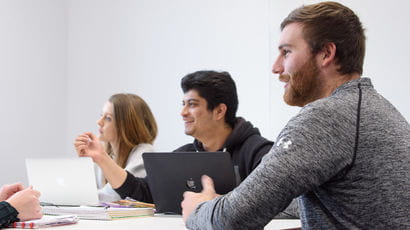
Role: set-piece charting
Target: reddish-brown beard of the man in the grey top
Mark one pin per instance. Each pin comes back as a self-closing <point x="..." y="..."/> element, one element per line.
<point x="304" y="85"/>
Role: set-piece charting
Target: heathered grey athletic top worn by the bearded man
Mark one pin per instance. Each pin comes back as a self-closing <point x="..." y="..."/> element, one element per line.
<point x="347" y="156"/>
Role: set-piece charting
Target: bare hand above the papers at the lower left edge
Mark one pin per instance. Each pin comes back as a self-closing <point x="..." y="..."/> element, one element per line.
<point x="27" y="204"/>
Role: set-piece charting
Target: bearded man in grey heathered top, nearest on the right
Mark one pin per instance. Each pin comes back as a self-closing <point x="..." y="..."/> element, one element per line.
<point x="346" y="153"/>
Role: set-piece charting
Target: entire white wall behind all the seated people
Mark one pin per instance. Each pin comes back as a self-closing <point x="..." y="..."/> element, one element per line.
<point x="82" y="51"/>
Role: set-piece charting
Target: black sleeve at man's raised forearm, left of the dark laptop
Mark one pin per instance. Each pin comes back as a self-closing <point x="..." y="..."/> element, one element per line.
<point x="136" y="188"/>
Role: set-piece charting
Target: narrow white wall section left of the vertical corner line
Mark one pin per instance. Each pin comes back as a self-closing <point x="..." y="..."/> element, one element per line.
<point x="32" y="83"/>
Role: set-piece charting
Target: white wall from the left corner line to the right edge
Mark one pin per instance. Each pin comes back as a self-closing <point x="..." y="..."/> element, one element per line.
<point x="147" y="46"/>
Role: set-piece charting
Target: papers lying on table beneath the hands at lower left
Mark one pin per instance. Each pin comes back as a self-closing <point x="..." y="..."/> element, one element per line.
<point x="46" y="221"/>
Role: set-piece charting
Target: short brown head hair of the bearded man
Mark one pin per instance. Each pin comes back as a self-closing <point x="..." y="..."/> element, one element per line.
<point x="332" y="22"/>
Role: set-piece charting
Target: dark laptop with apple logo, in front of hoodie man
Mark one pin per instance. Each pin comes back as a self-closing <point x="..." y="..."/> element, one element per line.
<point x="170" y="174"/>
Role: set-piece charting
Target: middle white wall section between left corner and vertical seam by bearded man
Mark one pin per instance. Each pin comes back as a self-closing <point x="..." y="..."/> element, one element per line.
<point x="147" y="46"/>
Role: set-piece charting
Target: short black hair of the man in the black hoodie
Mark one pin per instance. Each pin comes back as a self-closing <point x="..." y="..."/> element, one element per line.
<point x="215" y="88"/>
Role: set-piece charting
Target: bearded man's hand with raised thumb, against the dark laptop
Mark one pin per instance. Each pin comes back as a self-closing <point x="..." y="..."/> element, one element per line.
<point x="192" y="200"/>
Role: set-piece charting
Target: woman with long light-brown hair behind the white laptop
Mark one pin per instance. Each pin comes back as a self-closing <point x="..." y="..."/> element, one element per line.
<point x="127" y="129"/>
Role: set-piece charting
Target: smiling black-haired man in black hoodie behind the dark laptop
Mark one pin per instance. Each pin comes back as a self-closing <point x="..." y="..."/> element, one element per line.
<point x="209" y="112"/>
